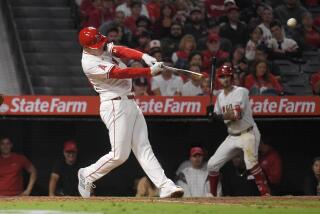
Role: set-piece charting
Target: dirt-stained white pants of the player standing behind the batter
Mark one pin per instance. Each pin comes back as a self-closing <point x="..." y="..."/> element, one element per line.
<point x="229" y="148"/>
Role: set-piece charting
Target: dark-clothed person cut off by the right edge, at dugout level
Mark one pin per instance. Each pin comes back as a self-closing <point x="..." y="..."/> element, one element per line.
<point x="311" y="184"/>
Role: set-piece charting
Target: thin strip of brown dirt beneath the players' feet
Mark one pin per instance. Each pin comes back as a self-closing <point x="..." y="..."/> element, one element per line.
<point x="286" y="201"/>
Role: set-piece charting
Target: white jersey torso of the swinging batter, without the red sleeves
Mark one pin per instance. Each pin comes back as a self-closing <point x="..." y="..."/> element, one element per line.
<point x="96" y="68"/>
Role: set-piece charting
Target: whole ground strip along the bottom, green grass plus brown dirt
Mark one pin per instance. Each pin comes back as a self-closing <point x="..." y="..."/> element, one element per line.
<point x="242" y="205"/>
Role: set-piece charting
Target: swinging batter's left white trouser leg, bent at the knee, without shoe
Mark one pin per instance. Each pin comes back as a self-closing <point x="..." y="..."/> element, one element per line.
<point x="119" y="119"/>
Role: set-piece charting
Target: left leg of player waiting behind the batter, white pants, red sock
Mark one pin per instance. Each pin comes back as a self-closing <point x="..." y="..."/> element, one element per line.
<point x="225" y="152"/>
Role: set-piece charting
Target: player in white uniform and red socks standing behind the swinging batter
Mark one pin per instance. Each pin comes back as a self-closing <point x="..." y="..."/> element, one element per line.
<point x="233" y="107"/>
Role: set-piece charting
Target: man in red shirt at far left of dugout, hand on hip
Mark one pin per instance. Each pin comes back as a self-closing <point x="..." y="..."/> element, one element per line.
<point x="11" y="168"/>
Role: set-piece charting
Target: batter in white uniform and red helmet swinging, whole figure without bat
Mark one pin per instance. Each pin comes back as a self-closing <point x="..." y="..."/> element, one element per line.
<point x="126" y="124"/>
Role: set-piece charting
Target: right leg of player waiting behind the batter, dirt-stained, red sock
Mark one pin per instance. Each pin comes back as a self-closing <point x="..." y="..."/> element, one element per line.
<point x="249" y="143"/>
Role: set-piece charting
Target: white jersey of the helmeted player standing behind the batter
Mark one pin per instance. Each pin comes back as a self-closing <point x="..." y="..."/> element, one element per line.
<point x="238" y="96"/>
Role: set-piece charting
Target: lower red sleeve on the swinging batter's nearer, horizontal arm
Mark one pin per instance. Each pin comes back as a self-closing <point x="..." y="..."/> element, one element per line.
<point x="125" y="73"/>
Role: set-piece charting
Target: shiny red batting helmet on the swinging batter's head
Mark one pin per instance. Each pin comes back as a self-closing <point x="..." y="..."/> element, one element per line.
<point x="90" y="37"/>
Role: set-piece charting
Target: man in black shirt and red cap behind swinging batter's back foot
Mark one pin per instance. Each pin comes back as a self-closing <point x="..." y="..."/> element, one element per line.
<point x="63" y="178"/>
